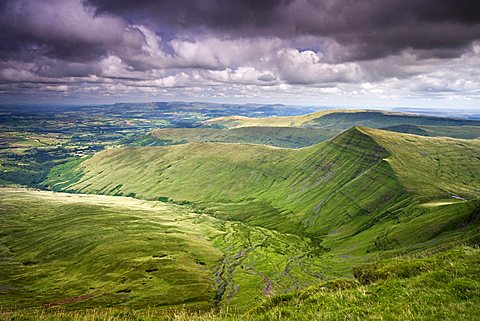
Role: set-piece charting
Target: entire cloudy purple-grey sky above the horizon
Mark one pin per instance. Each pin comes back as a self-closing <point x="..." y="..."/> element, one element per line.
<point x="369" y="53"/>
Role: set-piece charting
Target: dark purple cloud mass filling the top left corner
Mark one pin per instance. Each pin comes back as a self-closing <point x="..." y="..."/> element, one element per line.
<point x="61" y="29"/>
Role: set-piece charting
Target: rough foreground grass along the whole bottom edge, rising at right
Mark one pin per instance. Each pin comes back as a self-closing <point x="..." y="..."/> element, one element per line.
<point x="437" y="286"/>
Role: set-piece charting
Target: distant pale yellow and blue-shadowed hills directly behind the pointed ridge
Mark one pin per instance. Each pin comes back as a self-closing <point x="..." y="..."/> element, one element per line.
<point x="310" y="129"/>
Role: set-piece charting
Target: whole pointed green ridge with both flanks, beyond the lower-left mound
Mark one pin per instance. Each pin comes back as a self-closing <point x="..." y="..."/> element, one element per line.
<point x="364" y="190"/>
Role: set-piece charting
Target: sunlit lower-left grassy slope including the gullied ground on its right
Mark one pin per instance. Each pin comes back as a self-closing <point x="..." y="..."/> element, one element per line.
<point x="100" y="250"/>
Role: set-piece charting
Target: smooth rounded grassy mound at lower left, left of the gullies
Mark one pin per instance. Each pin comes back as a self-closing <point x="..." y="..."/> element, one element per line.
<point x="59" y="246"/>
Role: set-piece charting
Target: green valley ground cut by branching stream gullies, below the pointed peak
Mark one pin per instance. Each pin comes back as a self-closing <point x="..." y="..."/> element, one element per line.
<point x="259" y="262"/>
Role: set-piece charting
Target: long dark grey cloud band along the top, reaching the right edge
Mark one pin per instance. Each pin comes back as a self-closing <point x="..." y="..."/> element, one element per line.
<point x="371" y="28"/>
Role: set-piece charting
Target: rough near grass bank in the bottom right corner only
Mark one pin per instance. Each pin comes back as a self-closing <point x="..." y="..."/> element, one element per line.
<point x="443" y="286"/>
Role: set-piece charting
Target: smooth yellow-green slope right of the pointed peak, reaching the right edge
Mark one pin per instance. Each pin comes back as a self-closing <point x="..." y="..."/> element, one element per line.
<point x="433" y="166"/>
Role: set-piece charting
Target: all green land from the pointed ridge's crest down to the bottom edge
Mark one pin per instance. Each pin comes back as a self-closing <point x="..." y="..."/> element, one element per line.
<point x="250" y="231"/>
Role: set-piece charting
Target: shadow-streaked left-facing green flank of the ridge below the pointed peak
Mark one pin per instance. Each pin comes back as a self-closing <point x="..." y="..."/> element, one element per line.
<point x="249" y="182"/>
